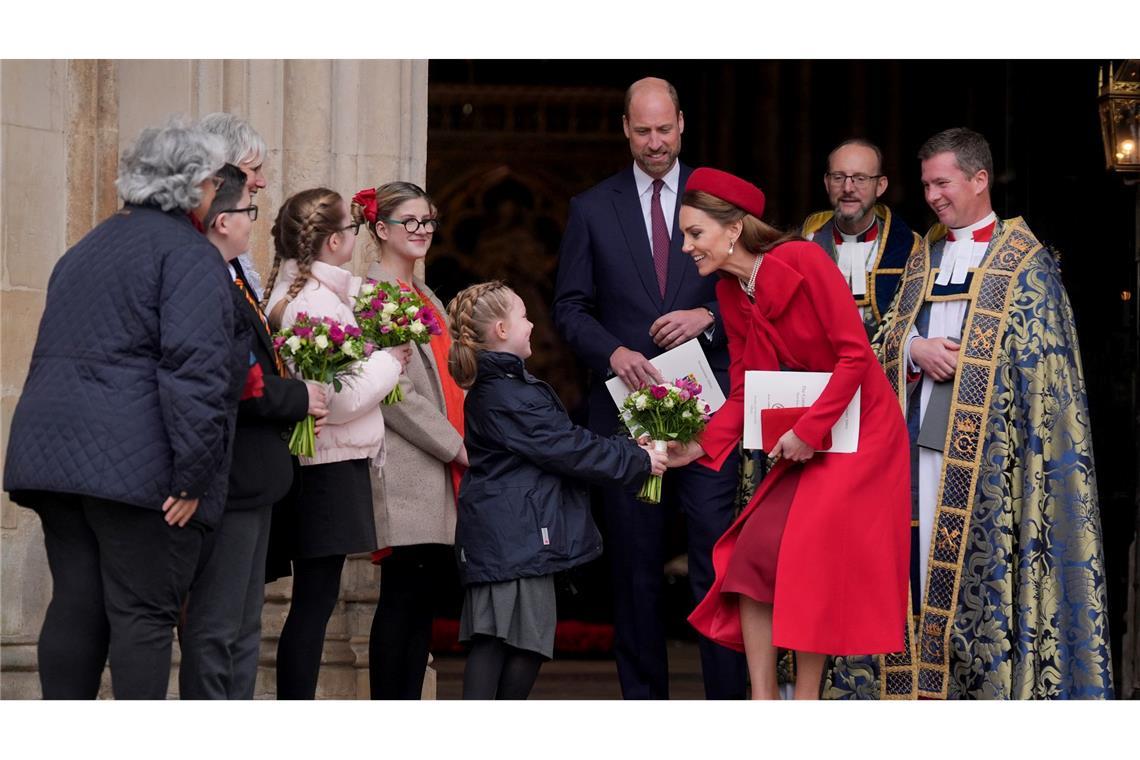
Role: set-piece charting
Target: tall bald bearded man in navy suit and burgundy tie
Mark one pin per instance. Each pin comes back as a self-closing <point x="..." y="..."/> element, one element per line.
<point x="625" y="293"/>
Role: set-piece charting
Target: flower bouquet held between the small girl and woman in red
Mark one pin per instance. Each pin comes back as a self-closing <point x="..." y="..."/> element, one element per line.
<point x="669" y="412"/>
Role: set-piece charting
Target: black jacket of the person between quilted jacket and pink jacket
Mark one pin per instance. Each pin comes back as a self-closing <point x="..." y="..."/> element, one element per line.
<point x="263" y="470"/>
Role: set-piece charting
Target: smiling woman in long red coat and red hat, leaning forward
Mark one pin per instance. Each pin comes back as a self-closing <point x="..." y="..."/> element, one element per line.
<point x="818" y="562"/>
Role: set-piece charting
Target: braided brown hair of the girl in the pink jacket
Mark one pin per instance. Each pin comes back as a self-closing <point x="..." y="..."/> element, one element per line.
<point x="304" y="224"/>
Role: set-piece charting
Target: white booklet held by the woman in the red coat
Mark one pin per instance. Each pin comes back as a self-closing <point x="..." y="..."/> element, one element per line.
<point x="776" y="390"/>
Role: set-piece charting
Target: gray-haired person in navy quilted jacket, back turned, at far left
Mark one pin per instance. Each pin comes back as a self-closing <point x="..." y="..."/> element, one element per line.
<point x="121" y="437"/>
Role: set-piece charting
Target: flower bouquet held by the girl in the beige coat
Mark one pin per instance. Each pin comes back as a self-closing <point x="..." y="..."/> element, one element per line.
<point x="394" y="315"/>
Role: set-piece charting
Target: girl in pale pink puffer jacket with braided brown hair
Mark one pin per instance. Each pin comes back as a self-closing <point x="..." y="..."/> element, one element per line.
<point x="330" y="516"/>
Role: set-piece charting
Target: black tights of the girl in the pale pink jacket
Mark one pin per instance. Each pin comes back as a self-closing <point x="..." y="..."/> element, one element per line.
<point x="316" y="586"/>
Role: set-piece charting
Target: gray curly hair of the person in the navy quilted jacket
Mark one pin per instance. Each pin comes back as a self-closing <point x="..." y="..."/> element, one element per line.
<point x="166" y="166"/>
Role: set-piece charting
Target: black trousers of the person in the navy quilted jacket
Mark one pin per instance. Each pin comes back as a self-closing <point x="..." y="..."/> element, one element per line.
<point x="119" y="577"/>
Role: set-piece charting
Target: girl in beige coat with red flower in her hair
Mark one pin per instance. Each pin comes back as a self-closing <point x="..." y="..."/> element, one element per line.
<point x="414" y="496"/>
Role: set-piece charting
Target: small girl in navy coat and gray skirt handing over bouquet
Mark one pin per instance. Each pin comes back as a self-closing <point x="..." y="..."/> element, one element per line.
<point x="524" y="511"/>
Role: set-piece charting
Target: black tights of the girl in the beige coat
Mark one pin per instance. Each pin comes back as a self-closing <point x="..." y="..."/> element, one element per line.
<point x="411" y="584"/>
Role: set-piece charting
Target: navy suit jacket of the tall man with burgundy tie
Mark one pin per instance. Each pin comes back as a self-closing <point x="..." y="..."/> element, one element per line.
<point x="607" y="295"/>
